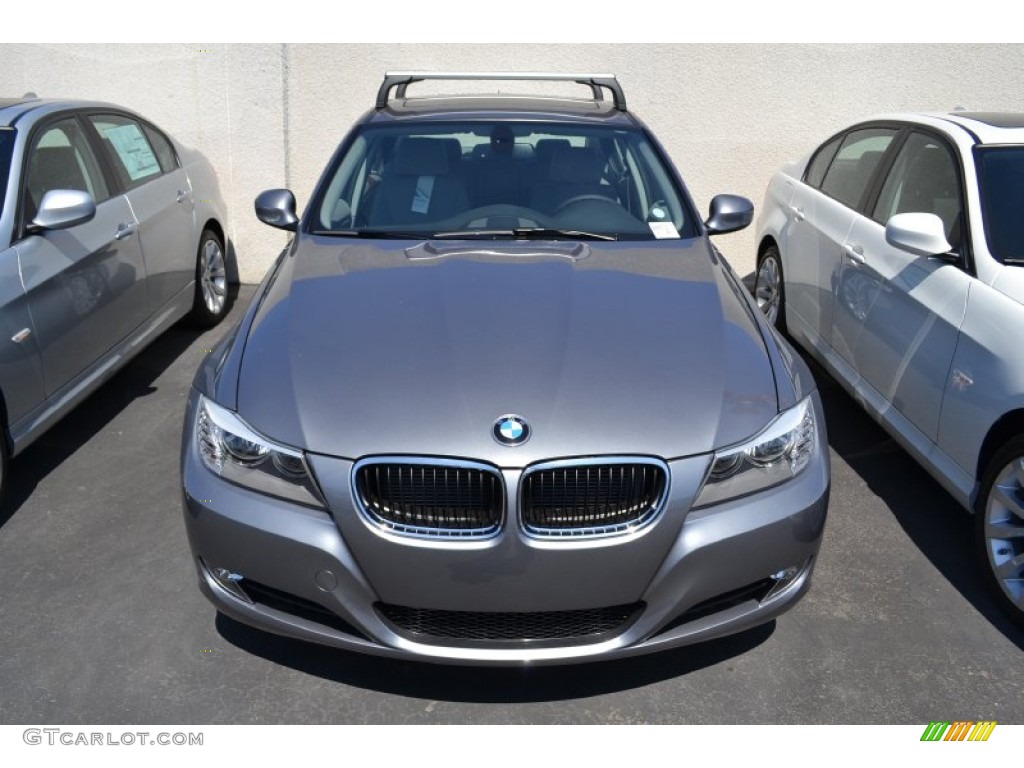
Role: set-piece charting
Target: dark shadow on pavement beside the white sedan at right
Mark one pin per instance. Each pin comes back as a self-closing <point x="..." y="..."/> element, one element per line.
<point x="941" y="529"/>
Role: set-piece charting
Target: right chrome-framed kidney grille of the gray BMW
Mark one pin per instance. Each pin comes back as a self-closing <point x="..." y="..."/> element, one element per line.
<point x="615" y="496"/>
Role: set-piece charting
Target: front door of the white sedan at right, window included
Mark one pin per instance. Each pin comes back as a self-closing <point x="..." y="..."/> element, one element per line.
<point x="900" y="314"/>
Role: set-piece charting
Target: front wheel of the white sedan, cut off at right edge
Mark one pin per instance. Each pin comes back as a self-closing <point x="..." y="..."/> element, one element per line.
<point x="1000" y="529"/>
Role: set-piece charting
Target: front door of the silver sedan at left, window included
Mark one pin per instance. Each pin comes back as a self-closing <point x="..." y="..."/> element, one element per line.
<point x="86" y="285"/>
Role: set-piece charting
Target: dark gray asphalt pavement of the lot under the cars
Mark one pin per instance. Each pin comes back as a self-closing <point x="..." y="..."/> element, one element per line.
<point x="102" y="622"/>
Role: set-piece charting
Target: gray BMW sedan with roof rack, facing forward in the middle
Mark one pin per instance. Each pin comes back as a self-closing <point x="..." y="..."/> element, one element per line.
<point x="501" y="401"/>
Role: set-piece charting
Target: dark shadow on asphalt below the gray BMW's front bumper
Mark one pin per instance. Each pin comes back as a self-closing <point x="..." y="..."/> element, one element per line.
<point x="488" y="685"/>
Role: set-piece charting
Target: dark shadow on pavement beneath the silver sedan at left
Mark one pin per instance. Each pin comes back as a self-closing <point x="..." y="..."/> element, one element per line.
<point x="81" y="425"/>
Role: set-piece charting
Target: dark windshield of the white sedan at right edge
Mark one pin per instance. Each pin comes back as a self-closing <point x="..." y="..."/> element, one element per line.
<point x="1001" y="177"/>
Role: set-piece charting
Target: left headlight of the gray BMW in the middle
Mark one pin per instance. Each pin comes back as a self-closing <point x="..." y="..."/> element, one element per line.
<point x="231" y="449"/>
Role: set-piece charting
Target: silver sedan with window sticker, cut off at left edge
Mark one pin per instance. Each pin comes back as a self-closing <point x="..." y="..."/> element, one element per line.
<point x="110" y="233"/>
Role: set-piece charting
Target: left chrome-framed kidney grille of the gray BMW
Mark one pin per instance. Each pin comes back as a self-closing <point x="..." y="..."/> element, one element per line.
<point x="430" y="498"/>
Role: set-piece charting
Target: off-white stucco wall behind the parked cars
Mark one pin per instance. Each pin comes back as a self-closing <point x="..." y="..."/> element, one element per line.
<point x="730" y="115"/>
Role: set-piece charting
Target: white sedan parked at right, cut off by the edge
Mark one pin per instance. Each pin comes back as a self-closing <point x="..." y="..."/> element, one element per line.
<point x="894" y="254"/>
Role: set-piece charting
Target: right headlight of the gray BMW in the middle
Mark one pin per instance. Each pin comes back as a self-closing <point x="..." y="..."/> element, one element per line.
<point x="783" y="451"/>
